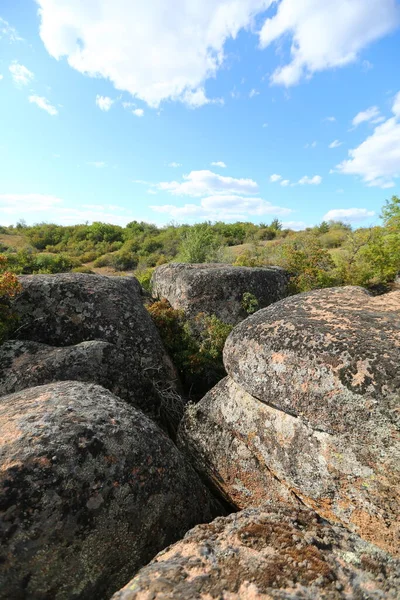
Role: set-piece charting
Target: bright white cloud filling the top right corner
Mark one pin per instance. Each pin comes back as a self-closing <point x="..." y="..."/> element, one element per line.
<point x="326" y="34"/>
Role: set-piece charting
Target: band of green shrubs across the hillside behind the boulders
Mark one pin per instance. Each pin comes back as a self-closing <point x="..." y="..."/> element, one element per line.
<point x="328" y="254"/>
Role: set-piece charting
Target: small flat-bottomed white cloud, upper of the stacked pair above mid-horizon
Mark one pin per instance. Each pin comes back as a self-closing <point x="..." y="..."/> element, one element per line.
<point x="202" y="183"/>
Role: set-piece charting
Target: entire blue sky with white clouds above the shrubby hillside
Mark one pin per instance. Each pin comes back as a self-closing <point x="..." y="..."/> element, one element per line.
<point x="192" y="110"/>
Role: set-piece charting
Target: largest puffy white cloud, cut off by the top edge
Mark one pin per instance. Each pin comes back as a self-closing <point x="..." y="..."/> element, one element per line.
<point x="154" y="50"/>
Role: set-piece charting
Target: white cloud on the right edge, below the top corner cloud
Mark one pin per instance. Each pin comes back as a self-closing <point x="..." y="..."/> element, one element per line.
<point x="377" y="159"/>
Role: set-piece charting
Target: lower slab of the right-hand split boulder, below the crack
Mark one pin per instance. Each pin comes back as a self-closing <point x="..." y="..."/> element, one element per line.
<point x="253" y="452"/>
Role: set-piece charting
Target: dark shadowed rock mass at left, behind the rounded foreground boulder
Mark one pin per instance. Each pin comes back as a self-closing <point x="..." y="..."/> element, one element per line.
<point x="125" y="353"/>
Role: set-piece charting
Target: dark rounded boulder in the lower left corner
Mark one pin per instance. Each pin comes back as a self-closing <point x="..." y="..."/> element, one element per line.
<point x="90" y="490"/>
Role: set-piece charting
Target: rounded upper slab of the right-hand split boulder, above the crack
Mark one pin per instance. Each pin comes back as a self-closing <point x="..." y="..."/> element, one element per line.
<point x="330" y="356"/>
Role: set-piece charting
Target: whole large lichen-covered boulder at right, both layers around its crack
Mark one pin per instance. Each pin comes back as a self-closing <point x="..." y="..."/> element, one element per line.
<point x="310" y="411"/>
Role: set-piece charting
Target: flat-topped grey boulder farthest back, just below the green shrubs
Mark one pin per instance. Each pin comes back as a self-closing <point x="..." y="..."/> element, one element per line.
<point x="217" y="288"/>
